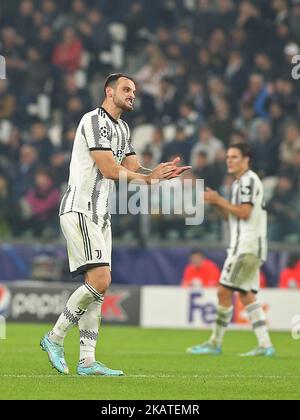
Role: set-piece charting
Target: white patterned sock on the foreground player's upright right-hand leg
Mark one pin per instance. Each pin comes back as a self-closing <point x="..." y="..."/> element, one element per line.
<point x="89" y="326"/>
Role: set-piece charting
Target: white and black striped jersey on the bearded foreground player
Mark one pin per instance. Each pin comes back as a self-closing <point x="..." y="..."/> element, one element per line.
<point x="88" y="190"/>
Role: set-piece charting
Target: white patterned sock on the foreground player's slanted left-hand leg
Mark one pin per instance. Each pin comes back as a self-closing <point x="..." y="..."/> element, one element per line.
<point x="75" y="309"/>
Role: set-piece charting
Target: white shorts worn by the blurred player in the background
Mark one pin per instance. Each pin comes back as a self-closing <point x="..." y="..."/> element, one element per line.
<point x="242" y="273"/>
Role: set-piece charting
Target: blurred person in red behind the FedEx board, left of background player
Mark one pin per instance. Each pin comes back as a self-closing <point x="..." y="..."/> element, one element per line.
<point x="201" y="272"/>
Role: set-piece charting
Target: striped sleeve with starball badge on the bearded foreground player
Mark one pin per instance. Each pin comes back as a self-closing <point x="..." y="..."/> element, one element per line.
<point x="97" y="133"/>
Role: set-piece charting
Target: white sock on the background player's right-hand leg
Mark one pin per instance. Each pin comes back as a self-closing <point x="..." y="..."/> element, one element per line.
<point x="259" y="324"/>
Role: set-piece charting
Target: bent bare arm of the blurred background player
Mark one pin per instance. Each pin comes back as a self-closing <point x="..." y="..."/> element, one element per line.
<point x="242" y="212"/>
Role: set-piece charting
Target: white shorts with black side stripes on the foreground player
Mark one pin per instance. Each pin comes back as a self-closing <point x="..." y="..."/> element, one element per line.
<point x="89" y="245"/>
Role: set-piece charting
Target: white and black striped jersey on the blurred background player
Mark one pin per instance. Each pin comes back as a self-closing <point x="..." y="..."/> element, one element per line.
<point x="249" y="236"/>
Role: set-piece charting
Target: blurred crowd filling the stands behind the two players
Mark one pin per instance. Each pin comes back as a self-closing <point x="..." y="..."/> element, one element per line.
<point x="209" y="73"/>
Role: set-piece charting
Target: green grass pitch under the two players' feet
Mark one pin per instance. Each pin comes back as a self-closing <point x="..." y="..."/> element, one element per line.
<point x="155" y="364"/>
